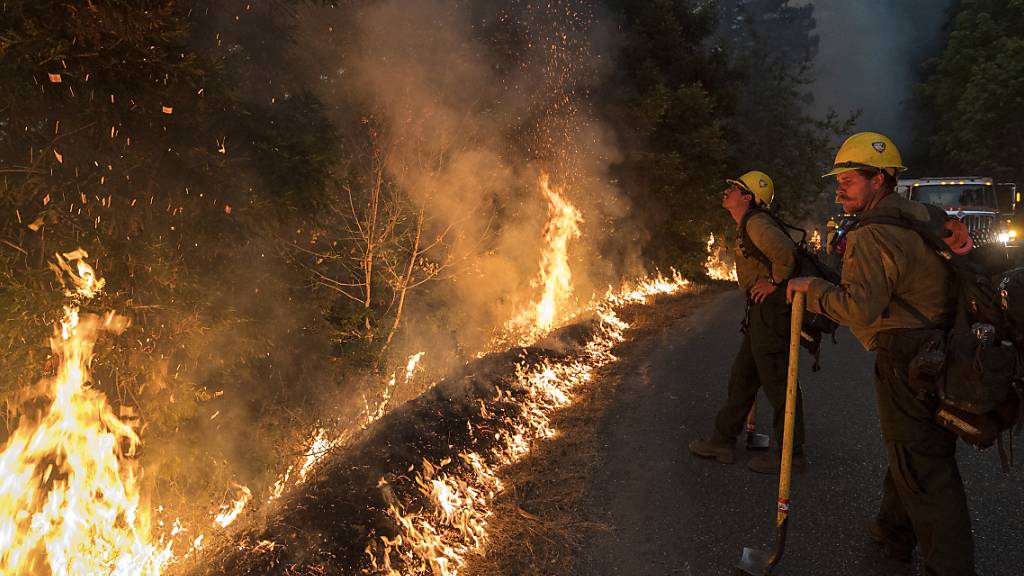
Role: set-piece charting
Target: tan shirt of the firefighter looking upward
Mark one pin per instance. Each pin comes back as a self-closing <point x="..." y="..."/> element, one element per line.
<point x="774" y="243"/>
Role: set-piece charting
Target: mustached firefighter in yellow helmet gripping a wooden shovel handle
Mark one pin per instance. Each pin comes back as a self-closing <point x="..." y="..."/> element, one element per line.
<point x="893" y="291"/>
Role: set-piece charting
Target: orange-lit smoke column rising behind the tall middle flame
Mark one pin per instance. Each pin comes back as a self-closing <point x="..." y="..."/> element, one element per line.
<point x="475" y="101"/>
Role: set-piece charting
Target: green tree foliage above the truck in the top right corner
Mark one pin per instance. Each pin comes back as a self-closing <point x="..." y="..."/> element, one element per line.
<point x="973" y="95"/>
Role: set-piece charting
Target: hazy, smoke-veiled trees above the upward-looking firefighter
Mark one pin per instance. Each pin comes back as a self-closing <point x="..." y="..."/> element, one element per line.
<point x="771" y="46"/>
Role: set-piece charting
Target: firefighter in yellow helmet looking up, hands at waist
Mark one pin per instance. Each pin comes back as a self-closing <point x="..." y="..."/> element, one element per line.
<point x="762" y="361"/>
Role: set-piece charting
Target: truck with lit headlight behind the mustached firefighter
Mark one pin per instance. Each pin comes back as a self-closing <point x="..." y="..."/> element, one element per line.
<point x="986" y="207"/>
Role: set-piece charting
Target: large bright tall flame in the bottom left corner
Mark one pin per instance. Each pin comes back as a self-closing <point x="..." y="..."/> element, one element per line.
<point x="70" y="500"/>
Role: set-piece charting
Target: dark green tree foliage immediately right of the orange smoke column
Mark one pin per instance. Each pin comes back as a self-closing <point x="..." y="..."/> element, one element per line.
<point x="669" y="125"/>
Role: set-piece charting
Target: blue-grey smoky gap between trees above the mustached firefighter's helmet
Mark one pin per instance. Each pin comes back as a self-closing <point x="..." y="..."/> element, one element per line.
<point x="870" y="58"/>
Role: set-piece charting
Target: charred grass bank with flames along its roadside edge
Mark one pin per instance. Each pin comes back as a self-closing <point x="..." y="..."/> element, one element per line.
<point x="413" y="493"/>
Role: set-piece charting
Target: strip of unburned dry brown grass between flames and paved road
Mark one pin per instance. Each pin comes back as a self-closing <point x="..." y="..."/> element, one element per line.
<point x="541" y="519"/>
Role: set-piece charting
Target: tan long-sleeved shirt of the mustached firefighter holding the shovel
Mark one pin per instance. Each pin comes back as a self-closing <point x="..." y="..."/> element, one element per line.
<point x="886" y="268"/>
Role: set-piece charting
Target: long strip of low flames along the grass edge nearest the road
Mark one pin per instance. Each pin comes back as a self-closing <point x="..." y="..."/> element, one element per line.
<point x="438" y="538"/>
